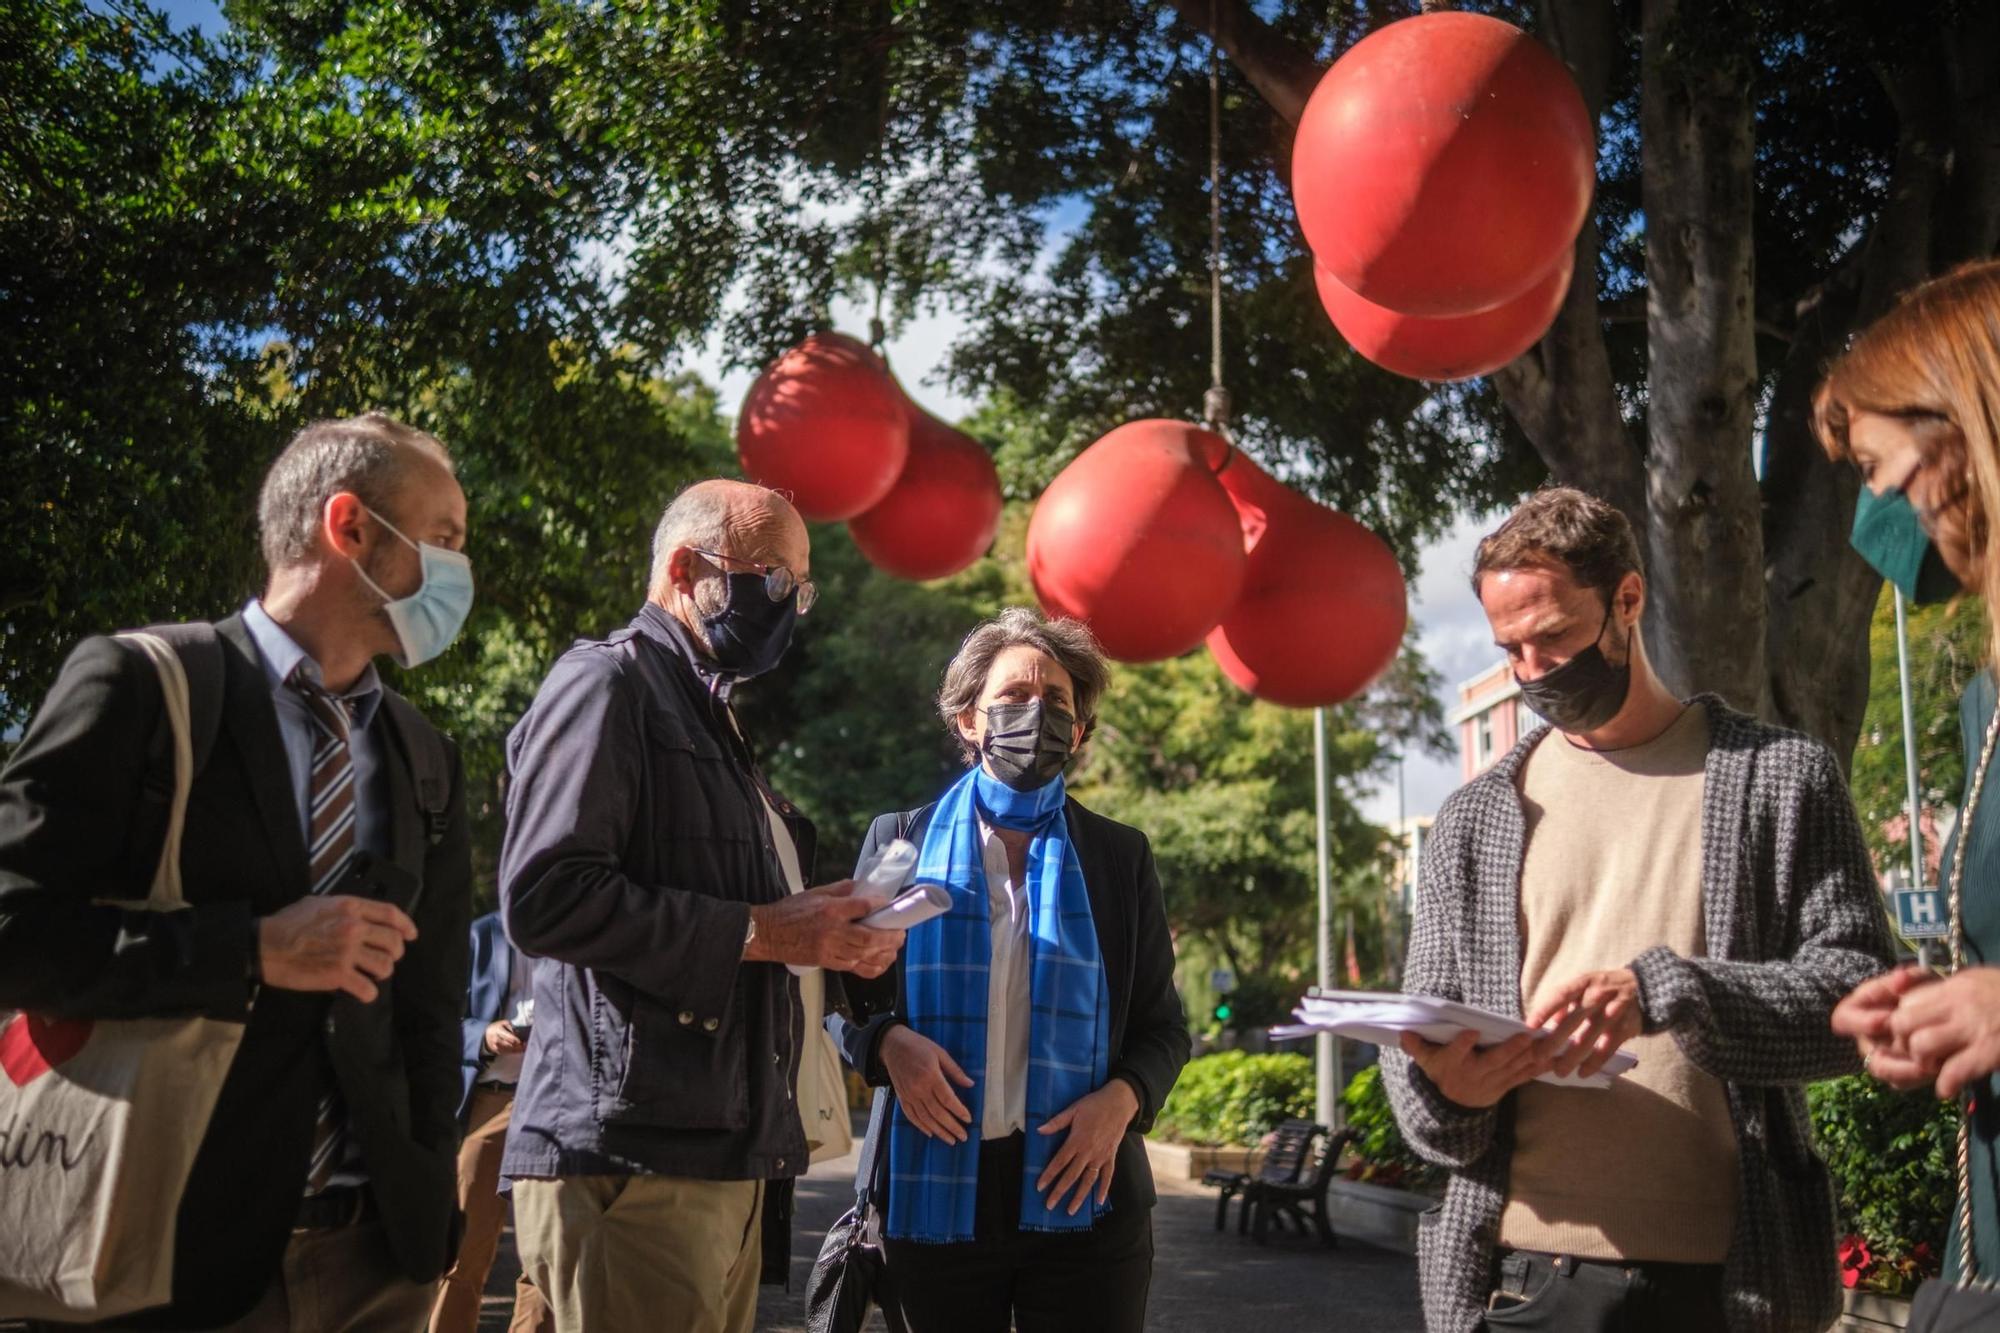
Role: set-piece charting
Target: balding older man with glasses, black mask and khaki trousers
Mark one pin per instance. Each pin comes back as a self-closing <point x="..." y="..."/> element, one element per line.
<point x="657" y="1122"/>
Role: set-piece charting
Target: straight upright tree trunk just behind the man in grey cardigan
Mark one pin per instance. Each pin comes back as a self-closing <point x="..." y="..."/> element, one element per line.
<point x="1703" y="541"/>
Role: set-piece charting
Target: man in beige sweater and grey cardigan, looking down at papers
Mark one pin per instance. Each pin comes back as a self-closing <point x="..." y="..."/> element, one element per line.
<point x="1647" y="874"/>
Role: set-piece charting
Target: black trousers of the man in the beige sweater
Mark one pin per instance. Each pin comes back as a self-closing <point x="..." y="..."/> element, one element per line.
<point x="1593" y="1296"/>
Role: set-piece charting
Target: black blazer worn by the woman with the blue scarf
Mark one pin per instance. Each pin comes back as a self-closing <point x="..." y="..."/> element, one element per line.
<point x="1149" y="1026"/>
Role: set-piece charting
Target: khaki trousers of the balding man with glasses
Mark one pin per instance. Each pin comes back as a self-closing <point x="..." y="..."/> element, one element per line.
<point x="643" y="1252"/>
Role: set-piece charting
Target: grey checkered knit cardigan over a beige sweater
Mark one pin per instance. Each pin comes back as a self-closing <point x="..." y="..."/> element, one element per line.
<point x="1793" y="924"/>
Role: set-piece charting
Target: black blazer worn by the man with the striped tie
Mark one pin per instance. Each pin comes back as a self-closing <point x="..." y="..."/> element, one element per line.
<point x="77" y="826"/>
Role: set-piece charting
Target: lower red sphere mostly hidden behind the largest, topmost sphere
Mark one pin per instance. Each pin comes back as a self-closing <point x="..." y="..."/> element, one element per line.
<point x="1445" y="349"/>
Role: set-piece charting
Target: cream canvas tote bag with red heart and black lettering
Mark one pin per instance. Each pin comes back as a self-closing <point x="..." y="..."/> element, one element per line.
<point x="101" y="1122"/>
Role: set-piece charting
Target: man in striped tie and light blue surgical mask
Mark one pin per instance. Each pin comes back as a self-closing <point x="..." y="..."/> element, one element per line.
<point x="329" y="878"/>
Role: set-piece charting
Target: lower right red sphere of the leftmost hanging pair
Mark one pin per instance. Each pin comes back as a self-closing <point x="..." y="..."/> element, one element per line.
<point x="943" y="511"/>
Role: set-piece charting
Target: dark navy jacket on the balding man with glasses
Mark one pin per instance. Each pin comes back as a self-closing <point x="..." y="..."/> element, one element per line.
<point x="637" y="846"/>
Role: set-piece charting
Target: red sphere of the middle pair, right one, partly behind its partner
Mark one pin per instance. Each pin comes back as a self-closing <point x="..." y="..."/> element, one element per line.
<point x="1323" y="605"/>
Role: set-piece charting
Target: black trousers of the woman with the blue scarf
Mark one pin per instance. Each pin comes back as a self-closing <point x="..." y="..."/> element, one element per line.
<point x="1043" y="1282"/>
